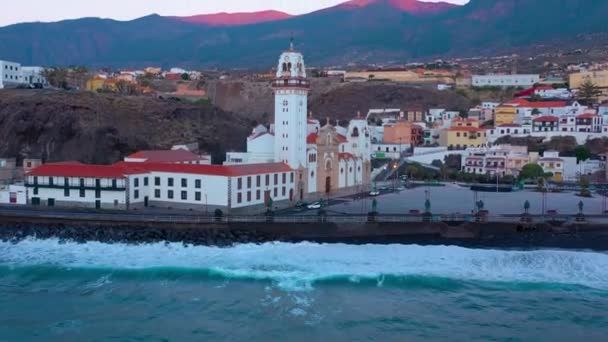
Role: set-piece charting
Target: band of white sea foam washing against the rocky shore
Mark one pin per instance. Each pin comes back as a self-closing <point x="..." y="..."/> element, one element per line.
<point x="298" y="266"/>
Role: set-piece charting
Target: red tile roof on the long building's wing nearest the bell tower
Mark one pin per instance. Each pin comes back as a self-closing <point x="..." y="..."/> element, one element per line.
<point x="211" y="170"/>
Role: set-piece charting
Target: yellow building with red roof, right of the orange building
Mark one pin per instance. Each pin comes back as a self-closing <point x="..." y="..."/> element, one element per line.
<point x="462" y="134"/>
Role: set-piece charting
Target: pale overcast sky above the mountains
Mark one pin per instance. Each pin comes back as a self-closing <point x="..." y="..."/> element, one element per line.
<point x="53" y="10"/>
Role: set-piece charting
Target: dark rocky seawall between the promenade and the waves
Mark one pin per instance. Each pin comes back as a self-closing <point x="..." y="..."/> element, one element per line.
<point x="467" y="234"/>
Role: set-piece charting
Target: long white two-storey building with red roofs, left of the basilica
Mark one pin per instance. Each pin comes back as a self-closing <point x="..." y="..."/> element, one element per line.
<point x="181" y="186"/>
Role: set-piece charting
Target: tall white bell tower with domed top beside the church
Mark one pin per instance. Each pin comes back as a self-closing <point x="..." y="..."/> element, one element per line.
<point x="290" y="109"/>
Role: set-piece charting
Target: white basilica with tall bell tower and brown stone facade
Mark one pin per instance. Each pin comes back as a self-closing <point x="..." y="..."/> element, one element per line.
<point x="326" y="159"/>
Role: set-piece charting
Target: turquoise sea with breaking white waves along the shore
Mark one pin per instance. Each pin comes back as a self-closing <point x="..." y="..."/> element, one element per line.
<point x="54" y="291"/>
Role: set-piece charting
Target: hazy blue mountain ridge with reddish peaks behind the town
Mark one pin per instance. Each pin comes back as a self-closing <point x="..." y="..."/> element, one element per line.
<point x="376" y="33"/>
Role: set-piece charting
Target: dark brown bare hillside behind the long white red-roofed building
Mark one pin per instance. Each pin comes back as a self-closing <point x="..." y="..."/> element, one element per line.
<point x="102" y="128"/>
